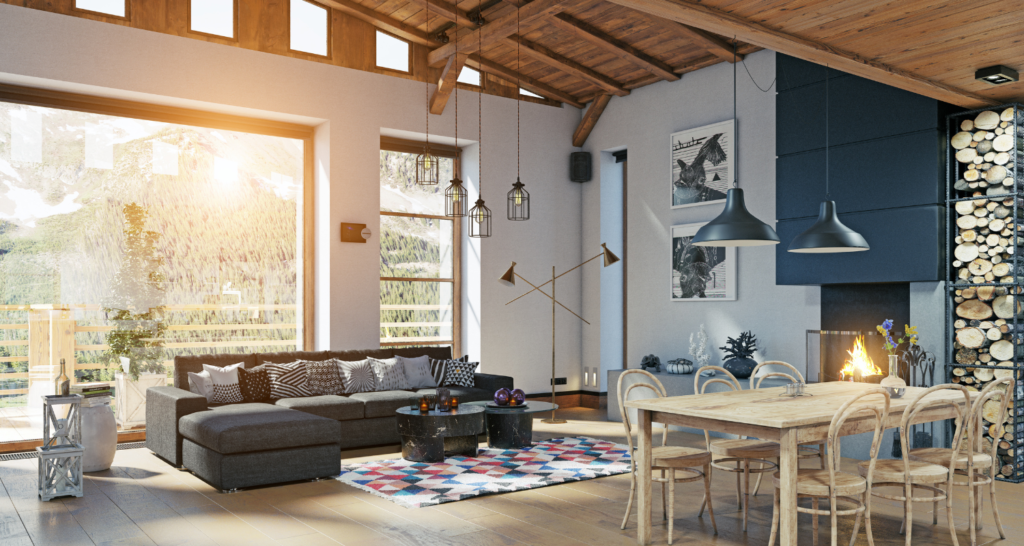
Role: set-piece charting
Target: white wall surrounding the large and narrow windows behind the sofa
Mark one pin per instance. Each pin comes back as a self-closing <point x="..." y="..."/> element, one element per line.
<point x="350" y="109"/>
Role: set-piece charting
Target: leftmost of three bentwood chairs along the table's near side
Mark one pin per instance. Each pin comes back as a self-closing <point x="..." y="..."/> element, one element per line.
<point x="835" y="485"/>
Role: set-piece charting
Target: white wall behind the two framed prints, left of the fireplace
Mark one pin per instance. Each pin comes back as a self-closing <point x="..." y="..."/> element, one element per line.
<point x="643" y="123"/>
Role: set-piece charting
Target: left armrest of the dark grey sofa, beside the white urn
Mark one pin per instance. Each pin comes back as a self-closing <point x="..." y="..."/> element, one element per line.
<point x="164" y="407"/>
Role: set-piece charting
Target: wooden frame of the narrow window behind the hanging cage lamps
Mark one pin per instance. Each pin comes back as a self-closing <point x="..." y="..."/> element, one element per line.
<point x="414" y="147"/>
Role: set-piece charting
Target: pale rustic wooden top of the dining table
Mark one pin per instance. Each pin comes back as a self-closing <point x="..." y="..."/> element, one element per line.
<point x="765" y="408"/>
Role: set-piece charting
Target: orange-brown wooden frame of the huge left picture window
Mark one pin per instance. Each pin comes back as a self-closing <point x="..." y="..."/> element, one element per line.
<point x="197" y="118"/>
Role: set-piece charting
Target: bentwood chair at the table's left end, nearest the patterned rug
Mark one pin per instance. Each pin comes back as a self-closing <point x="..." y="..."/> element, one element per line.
<point x="694" y="464"/>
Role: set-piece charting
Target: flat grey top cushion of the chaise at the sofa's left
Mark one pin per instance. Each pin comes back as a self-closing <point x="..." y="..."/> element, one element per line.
<point x="252" y="428"/>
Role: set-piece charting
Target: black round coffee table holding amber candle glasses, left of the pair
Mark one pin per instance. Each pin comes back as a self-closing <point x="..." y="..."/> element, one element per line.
<point x="429" y="438"/>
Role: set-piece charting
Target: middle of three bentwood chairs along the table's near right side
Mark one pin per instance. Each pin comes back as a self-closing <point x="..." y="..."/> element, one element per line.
<point x="914" y="475"/>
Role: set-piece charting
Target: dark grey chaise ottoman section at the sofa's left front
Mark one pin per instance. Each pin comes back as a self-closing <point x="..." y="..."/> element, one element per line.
<point x="248" y="445"/>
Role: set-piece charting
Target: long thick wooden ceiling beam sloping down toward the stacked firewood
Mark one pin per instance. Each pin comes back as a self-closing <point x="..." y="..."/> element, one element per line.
<point x="722" y="23"/>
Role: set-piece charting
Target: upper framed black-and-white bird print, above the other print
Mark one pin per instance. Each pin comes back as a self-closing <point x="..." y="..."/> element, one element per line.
<point x="702" y="164"/>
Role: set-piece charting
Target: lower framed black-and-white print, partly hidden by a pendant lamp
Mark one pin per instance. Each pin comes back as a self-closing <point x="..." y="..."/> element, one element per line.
<point x="700" y="274"/>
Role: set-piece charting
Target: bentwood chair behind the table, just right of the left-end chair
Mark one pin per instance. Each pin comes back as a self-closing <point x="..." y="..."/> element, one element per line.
<point x="737" y="455"/>
